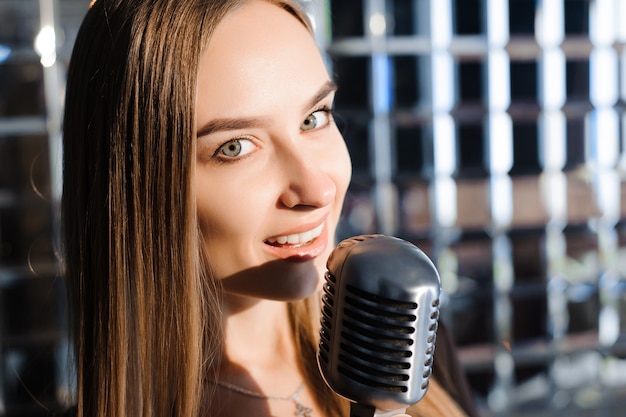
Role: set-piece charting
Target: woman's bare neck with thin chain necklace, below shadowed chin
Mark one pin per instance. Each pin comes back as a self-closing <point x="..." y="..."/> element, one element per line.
<point x="259" y="358"/>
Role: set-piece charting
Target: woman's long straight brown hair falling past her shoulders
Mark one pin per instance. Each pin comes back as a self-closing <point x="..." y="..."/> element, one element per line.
<point x="146" y="317"/>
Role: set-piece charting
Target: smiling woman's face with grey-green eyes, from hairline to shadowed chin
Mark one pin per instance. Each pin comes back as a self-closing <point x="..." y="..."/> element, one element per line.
<point x="272" y="168"/>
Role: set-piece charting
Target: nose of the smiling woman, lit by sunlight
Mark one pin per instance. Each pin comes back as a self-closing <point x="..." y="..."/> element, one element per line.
<point x="307" y="183"/>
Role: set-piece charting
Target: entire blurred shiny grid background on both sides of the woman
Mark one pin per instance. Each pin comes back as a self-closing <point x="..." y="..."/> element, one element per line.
<point x="491" y="133"/>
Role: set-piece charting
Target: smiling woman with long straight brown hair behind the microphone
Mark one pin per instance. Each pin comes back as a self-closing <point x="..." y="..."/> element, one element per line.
<point x="203" y="182"/>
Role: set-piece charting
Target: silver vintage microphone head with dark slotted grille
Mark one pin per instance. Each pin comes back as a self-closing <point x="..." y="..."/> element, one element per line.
<point x="380" y="307"/>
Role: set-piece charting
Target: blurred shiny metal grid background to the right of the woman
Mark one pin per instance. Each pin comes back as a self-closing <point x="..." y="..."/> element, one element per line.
<point x="490" y="133"/>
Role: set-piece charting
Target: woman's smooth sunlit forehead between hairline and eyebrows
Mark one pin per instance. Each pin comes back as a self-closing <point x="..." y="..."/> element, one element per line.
<point x="258" y="55"/>
